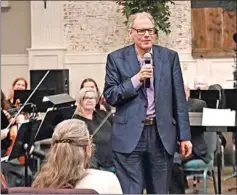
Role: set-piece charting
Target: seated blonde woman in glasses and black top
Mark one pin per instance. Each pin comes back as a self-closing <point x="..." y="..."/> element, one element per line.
<point x="85" y="111"/>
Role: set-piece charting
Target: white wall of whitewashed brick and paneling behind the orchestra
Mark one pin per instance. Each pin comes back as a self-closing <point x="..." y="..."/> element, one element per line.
<point x="57" y="35"/>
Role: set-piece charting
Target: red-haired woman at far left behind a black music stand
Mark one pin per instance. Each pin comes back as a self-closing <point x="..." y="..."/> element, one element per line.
<point x="18" y="84"/>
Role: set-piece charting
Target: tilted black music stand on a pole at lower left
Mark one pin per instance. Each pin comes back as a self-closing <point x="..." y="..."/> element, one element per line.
<point x="23" y="143"/>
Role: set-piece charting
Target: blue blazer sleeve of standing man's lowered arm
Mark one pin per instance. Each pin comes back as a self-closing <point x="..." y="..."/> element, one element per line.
<point x="180" y="102"/>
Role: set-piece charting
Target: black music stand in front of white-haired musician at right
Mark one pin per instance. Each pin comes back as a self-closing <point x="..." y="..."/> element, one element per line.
<point x="209" y="96"/>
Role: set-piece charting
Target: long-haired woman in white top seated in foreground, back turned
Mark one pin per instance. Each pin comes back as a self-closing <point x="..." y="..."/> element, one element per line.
<point x="68" y="161"/>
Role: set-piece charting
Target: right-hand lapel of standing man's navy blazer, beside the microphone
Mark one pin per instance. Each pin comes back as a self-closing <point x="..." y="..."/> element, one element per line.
<point x="157" y="63"/>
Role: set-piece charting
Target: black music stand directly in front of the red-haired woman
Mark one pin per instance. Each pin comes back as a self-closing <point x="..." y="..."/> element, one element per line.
<point x="37" y="99"/>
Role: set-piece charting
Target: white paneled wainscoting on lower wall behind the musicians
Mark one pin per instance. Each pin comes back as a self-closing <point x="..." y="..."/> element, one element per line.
<point x="80" y="65"/>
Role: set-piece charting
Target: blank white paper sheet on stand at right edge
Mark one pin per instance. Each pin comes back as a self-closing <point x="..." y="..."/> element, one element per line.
<point x="218" y="117"/>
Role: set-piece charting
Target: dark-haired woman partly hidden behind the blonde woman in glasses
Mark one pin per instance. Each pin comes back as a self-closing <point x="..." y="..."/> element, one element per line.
<point x="101" y="103"/>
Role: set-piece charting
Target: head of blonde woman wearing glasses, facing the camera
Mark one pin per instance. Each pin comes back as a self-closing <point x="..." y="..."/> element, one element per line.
<point x="86" y="100"/>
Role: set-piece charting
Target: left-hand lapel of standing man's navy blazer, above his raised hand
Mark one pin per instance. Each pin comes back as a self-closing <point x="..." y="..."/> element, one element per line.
<point x="133" y="63"/>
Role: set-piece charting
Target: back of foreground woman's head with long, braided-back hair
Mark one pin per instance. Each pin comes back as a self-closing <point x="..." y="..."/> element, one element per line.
<point x="68" y="158"/>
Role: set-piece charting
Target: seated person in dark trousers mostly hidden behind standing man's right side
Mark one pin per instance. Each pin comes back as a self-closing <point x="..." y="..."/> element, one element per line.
<point x="178" y="179"/>
